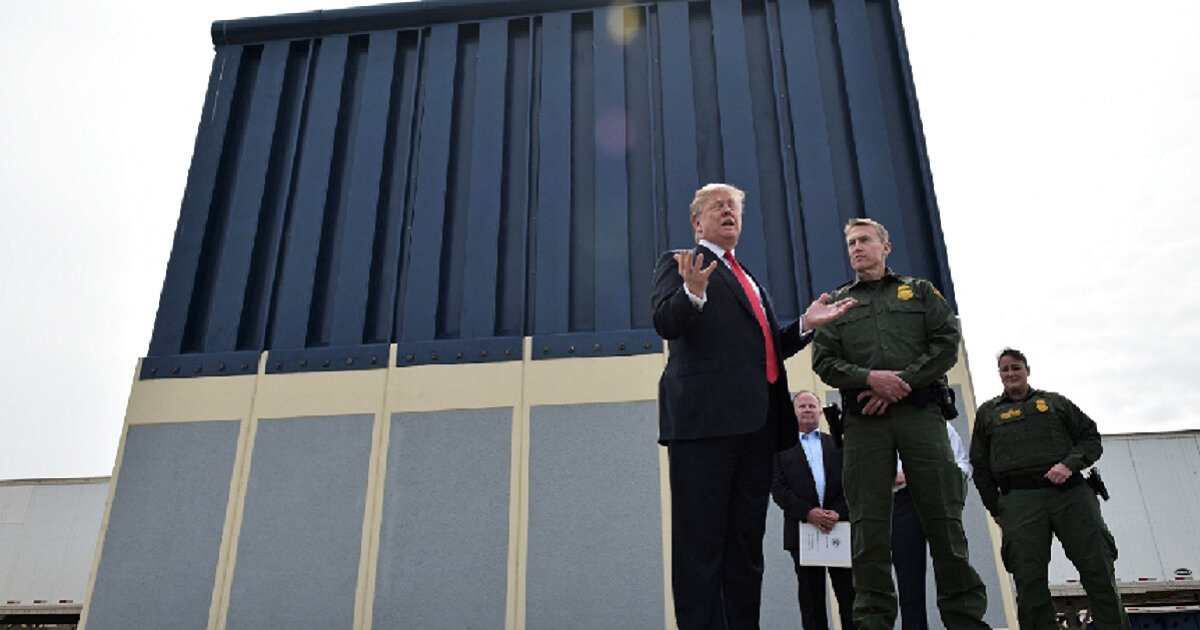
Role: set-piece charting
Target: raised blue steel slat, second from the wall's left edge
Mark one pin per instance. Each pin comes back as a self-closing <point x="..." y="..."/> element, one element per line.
<point x="247" y="206"/>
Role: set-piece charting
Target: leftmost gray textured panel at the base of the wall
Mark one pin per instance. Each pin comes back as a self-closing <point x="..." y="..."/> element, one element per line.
<point x="159" y="561"/>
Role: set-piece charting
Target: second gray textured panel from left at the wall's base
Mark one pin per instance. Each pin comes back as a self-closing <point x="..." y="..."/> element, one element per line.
<point x="298" y="553"/>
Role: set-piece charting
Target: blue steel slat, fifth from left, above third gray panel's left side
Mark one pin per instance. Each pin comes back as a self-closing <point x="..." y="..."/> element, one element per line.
<point x="424" y="265"/>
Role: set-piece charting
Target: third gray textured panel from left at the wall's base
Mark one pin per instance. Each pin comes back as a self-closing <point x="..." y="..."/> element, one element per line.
<point x="445" y="541"/>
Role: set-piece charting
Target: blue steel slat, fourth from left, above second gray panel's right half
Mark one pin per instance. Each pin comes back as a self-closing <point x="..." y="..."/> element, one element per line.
<point x="350" y="302"/>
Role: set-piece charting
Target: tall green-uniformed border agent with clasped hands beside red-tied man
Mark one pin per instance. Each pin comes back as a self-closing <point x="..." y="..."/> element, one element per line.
<point x="886" y="357"/>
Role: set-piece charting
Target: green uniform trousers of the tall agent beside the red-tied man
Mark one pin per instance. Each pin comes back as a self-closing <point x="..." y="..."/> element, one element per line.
<point x="938" y="489"/>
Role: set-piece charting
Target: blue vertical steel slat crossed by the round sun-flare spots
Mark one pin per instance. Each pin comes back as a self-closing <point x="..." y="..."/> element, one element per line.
<point x="611" y="263"/>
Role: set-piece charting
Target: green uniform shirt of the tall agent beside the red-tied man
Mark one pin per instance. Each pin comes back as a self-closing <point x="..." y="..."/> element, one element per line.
<point x="901" y="323"/>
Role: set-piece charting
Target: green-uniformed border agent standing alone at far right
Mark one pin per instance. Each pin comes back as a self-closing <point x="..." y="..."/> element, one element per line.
<point x="1029" y="449"/>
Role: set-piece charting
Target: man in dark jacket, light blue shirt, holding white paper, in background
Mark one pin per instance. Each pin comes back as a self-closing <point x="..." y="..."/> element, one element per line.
<point x="808" y="488"/>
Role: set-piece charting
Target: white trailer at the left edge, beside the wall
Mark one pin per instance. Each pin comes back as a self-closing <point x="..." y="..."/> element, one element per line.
<point x="49" y="531"/>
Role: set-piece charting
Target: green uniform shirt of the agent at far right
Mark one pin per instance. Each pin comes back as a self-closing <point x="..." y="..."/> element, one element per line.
<point x="1028" y="437"/>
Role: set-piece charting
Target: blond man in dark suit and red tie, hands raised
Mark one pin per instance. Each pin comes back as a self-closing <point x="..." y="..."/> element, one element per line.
<point x="723" y="412"/>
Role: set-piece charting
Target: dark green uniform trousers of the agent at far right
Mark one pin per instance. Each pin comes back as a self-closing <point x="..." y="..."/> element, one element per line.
<point x="1029" y="518"/>
